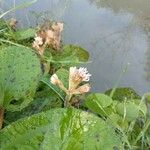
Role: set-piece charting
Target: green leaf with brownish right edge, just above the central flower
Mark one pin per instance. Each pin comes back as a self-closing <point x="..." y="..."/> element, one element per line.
<point x="71" y="55"/>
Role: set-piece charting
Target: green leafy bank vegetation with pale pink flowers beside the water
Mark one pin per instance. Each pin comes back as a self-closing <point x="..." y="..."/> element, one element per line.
<point x="44" y="102"/>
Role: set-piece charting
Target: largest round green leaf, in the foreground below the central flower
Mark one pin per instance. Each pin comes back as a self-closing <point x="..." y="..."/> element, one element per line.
<point x="65" y="129"/>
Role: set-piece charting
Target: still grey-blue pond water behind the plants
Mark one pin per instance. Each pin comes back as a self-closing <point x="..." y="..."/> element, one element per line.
<point x="115" y="32"/>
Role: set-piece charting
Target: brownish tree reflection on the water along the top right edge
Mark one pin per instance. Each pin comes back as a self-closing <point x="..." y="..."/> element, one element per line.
<point x="141" y="11"/>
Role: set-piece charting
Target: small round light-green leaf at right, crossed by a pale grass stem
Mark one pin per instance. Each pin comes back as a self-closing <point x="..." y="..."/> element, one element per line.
<point x="130" y="110"/>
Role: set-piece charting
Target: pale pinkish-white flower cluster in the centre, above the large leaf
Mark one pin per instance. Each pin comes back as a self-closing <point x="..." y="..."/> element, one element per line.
<point x="76" y="76"/>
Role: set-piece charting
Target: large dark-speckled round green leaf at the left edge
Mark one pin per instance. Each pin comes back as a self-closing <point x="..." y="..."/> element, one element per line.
<point x="20" y="70"/>
